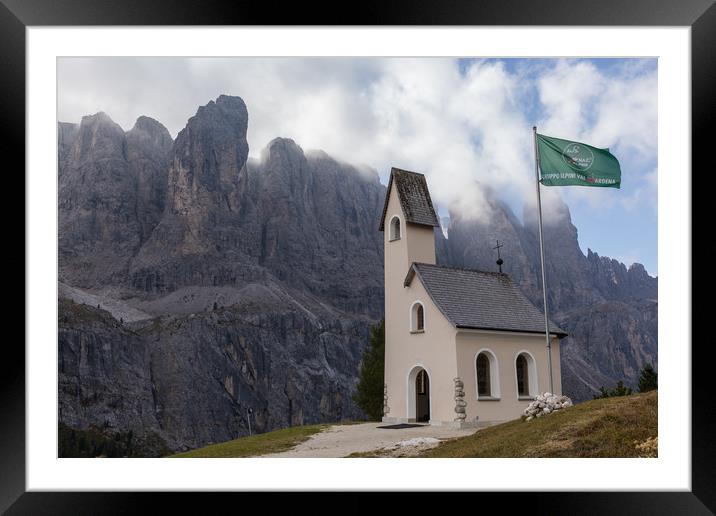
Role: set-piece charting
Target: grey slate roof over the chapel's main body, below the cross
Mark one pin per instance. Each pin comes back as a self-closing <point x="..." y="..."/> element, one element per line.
<point x="480" y="300"/>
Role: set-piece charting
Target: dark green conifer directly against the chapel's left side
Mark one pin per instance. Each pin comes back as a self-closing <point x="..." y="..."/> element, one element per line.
<point x="369" y="394"/>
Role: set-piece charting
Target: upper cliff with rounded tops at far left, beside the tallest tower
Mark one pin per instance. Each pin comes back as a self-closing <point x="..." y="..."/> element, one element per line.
<point x="110" y="192"/>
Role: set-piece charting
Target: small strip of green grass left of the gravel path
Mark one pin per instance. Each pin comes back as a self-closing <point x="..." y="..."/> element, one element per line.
<point x="259" y="444"/>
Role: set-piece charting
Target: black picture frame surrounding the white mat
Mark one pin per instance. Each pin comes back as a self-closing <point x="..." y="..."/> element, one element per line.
<point x="16" y="15"/>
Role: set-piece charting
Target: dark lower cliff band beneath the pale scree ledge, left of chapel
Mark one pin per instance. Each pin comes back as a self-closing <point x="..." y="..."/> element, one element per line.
<point x="179" y="382"/>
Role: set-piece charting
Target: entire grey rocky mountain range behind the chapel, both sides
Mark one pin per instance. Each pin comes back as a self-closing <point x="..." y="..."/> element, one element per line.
<point x="196" y="283"/>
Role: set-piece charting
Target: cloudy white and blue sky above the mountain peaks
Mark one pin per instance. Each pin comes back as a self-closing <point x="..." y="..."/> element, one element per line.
<point x="464" y="123"/>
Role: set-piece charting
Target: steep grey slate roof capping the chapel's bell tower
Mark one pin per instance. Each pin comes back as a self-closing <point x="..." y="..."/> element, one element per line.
<point x="414" y="198"/>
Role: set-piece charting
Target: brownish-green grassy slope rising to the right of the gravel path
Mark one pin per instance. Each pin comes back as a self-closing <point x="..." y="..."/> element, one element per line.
<point x="610" y="427"/>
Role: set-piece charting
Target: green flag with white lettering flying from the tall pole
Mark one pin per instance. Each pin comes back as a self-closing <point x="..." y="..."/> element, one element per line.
<point x="565" y="163"/>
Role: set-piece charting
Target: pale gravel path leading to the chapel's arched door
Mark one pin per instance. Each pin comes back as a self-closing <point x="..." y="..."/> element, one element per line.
<point x="342" y="440"/>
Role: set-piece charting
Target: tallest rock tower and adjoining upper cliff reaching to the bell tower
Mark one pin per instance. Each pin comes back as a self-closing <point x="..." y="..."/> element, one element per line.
<point x="304" y="220"/>
